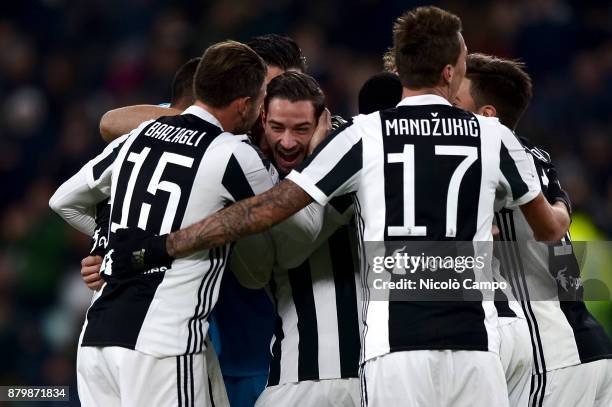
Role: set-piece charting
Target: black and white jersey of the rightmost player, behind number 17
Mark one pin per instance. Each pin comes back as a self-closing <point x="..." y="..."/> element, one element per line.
<point x="563" y="332"/>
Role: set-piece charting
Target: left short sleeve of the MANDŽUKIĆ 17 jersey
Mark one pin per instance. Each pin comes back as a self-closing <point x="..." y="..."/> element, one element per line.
<point x="335" y="166"/>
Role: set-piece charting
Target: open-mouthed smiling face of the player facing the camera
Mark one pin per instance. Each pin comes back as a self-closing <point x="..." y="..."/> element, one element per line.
<point x="288" y="128"/>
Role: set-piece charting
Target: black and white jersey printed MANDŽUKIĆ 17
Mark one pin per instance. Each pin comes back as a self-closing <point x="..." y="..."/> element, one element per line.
<point x="422" y="171"/>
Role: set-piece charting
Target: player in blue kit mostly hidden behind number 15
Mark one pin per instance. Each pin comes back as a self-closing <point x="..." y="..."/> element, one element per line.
<point x="241" y="315"/>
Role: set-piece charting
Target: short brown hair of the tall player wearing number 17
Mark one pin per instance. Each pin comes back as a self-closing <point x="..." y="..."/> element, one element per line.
<point x="425" y="40"/>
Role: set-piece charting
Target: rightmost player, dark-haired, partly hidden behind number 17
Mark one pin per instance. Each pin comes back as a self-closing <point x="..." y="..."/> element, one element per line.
<point x="570" y="349"/>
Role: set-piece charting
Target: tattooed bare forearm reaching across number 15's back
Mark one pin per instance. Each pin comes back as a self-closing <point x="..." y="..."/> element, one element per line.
<point x="243" y="218"/>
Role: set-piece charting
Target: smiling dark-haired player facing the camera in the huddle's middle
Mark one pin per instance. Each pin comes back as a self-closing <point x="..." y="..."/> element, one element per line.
<point x="315" y="349"/>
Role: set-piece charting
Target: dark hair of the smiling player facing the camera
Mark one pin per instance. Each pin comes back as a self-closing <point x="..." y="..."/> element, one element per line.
<point x="295" y="87"/>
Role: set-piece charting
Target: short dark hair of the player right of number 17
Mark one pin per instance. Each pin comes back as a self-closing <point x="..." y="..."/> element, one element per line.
<point x="502" y="83"/>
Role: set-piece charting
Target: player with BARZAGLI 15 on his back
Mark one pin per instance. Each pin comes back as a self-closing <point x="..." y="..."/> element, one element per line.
<point x="147" y="332"/>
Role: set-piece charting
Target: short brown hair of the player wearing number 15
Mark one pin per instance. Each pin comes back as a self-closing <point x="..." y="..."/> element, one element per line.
<point x="227" y="71"/>
